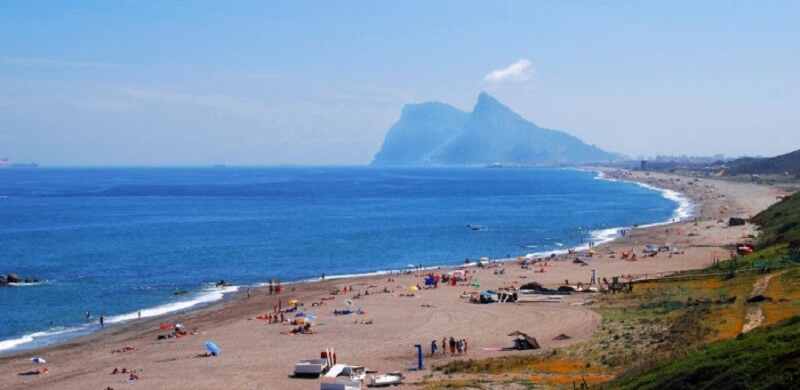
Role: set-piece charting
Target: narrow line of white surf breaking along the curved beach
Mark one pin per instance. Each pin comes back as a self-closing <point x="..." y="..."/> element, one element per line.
<point x="205" y="298"/>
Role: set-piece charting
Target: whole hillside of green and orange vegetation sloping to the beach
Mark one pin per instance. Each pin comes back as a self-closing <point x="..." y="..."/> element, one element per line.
<point x="680" y="332"/>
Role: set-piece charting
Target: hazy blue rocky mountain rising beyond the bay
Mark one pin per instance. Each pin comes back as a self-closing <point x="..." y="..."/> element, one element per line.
<point x="436" y="133"/>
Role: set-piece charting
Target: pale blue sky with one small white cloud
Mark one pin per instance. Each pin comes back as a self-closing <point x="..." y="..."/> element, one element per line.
<point x="295" y="82"/>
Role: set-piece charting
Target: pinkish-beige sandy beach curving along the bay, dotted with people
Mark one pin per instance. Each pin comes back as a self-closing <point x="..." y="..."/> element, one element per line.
<point x="259" y="356"/>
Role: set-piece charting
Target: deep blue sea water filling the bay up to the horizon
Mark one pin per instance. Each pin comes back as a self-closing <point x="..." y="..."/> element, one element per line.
<point x="117" y="240"/>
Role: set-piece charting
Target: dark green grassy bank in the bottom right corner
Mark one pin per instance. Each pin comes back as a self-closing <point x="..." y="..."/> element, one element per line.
<point x="765" y="358"/>
